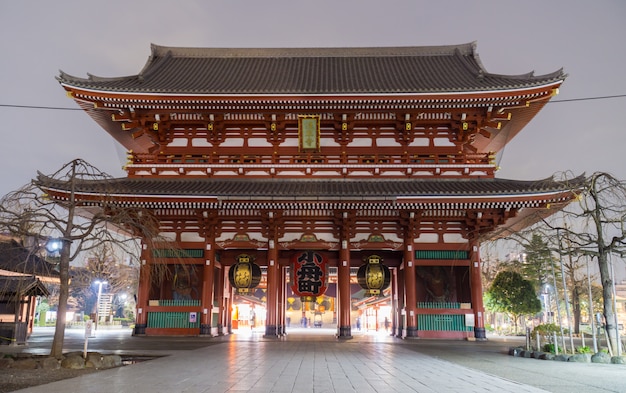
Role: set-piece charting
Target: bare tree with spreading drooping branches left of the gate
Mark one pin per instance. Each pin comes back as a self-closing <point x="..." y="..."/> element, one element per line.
<point x="80" y="223"/>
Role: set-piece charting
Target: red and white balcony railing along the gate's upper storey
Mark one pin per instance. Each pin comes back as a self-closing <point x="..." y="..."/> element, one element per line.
<point x="314" y="164"/>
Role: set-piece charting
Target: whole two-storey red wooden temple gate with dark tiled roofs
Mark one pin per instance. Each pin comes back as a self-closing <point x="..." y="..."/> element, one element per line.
<point x="348" y="152"/>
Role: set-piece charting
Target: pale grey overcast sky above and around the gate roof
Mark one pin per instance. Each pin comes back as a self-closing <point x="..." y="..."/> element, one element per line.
<point x="113" y="38"/>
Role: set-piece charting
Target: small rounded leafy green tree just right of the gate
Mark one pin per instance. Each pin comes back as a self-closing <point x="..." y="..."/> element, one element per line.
<point x="511" y="294"/>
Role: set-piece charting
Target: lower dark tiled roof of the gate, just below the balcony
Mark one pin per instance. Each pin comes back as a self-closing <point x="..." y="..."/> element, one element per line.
<point x="286" y="189"/>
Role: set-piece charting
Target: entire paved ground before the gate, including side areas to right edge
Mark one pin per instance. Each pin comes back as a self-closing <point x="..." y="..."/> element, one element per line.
<point x="307" y="360"/>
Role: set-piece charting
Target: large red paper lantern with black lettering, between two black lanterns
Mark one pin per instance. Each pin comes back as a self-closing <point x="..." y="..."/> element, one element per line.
<point x="309" y="275"/>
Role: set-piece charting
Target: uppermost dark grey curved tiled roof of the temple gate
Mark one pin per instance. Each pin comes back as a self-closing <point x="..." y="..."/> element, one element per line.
<point x="313" y="71"/>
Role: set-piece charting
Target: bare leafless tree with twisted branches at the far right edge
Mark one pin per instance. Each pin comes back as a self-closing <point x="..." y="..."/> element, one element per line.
<point x="595" y="227"/>
